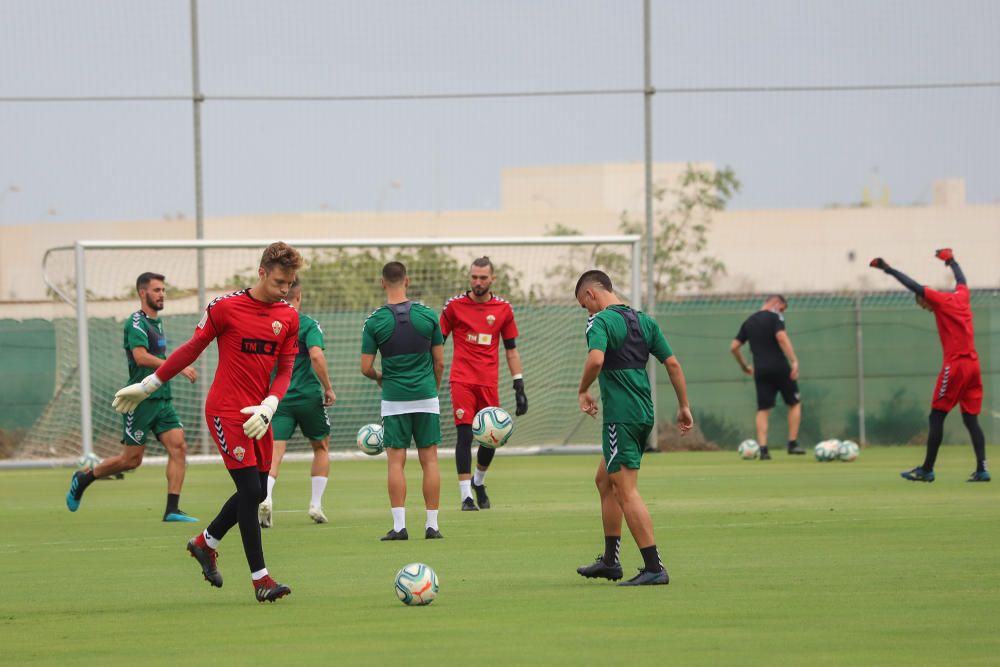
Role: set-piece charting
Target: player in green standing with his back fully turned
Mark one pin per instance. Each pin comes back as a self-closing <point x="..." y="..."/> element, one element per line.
<point x="408" y="336"/>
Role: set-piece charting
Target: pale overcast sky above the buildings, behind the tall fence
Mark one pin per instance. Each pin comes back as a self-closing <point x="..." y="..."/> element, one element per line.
<point x="133" y="159"/>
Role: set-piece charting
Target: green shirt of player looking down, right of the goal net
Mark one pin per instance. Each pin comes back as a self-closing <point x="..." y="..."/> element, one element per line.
<point x="626" y="397"/>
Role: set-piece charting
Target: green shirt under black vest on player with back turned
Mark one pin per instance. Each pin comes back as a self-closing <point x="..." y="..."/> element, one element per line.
<point x="405" y="377"/>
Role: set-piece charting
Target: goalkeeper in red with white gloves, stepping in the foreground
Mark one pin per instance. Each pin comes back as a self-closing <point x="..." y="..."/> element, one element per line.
<point x="254" y="329"/>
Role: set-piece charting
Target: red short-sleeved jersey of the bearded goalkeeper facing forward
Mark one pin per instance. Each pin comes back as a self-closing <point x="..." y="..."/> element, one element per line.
<point x="477" y="329"/>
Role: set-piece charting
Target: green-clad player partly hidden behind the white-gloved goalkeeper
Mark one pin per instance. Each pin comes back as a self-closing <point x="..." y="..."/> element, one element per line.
<point x="304" y="406"/>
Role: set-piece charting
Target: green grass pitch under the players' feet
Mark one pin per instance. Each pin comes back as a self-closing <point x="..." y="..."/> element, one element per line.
<point x="790" y="562"/>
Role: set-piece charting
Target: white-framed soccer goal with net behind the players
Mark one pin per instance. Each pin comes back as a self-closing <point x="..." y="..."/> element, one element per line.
<point x="96" y="282"/>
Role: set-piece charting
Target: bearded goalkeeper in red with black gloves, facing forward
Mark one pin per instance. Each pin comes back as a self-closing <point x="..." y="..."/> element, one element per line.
<point x="479" y="319"/>
